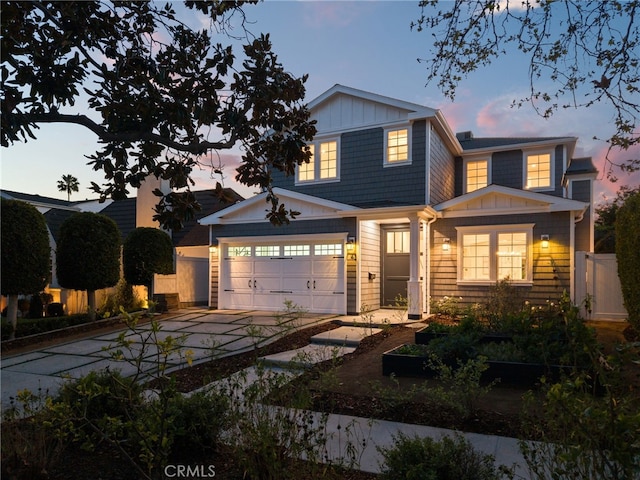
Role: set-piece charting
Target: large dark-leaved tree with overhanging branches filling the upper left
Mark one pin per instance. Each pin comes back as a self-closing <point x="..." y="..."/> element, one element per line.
<point x="160" y="96"/>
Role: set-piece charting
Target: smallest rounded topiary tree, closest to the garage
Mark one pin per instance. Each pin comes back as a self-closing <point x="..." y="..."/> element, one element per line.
<point x="146" y="251"/>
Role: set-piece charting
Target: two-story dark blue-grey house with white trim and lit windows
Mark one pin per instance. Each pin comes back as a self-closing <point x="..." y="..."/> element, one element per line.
<point x="394" y="205"/>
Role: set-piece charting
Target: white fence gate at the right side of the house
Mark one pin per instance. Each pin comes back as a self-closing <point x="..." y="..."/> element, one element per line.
<point x="597" y="279"/>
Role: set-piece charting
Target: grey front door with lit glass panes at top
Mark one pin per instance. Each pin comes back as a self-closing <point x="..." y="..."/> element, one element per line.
<point x="395" y="265"/>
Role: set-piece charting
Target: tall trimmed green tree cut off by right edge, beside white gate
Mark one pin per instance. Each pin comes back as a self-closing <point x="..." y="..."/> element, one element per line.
<point x="627" y="248"/>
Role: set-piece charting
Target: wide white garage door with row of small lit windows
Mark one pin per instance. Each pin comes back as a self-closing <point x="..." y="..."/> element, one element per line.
<point x="264" y="275"/>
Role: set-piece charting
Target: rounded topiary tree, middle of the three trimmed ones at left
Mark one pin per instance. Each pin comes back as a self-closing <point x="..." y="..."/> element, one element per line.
<point x="88" y="255"/>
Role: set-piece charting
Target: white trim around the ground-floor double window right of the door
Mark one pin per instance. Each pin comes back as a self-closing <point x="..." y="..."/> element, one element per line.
<point x="493" y="231"/>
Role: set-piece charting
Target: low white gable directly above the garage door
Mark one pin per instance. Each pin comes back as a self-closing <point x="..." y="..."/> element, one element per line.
<point x="254" y="209"/>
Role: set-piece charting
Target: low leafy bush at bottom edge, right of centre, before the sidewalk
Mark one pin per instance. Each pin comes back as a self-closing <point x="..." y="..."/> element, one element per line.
<point x="450" y="458"/>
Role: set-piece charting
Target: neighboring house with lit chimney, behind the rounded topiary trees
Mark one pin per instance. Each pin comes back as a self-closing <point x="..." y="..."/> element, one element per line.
<point x="191" y="280"/>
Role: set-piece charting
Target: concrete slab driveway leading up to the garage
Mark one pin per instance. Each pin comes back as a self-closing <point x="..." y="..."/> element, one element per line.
<point x="203" y="332"/>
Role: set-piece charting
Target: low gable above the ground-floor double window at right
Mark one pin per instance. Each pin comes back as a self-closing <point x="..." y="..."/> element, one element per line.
<point x="500" y="200"/>
